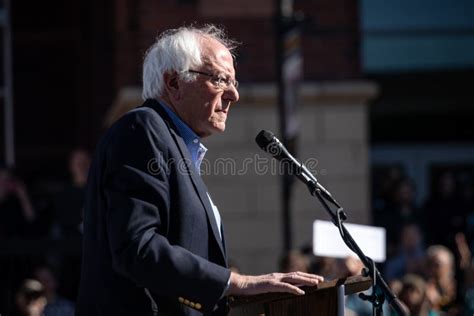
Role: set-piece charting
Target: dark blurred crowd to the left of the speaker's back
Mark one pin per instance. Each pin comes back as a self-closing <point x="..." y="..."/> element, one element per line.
<point x="40" y="238"/>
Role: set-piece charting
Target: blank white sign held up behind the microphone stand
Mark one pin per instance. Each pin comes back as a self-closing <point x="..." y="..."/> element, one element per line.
<point x="327" y="242"/>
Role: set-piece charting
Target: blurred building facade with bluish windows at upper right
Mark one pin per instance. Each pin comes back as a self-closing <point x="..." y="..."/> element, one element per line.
<point x="421" y="54"/>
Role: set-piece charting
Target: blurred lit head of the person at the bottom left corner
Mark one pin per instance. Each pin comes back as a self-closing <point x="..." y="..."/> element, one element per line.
<point x="30" y="299"/>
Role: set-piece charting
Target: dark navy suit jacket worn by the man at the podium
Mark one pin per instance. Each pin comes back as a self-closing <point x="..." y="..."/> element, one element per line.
<point x="151" y="243"/>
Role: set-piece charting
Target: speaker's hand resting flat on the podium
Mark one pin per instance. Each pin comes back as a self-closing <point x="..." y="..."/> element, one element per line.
<point x="274" y="282"/>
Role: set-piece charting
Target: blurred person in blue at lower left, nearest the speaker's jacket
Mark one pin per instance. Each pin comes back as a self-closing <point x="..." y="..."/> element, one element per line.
<point x="56" y="305"/>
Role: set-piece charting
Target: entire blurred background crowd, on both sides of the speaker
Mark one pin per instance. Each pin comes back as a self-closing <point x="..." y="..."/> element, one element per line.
<point x="429" y="264"/>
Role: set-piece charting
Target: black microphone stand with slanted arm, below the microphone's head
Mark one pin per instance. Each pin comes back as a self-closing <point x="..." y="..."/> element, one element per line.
<point x="380" y="290"/>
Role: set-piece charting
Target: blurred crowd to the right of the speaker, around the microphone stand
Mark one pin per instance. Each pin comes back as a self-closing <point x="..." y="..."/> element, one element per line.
<point x="429" y="264"/>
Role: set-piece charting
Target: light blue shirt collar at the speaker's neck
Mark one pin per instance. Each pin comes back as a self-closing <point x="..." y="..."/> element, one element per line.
<point x="191" y="139"/>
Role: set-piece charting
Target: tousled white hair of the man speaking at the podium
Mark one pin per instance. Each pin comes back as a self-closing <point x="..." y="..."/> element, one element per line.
<point x="178" y="50"/>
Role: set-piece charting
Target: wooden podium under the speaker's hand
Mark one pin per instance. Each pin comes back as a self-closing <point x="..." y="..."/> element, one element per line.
<point x="326" y="299"/>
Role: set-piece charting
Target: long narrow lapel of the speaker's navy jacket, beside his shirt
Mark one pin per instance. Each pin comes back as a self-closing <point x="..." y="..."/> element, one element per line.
<point x="196" y="179"/>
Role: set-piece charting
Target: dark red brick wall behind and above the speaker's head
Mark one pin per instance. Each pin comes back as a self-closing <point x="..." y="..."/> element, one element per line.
<point x="330" y="43"/>
